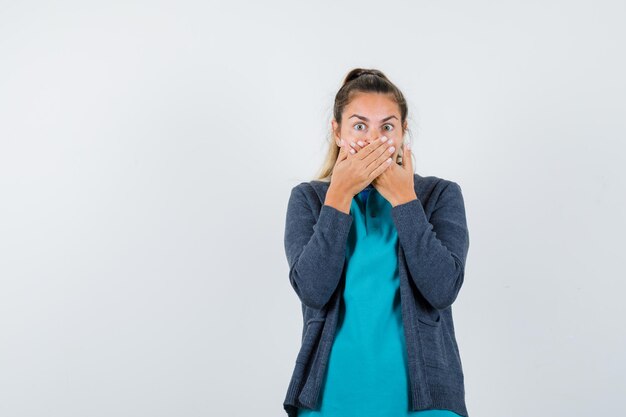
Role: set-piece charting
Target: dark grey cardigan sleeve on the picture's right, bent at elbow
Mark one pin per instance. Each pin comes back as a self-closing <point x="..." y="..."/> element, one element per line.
<point x="435" y="251"/>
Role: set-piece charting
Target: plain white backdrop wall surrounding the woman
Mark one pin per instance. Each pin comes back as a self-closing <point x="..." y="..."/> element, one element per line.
<point x="147" y="152"/>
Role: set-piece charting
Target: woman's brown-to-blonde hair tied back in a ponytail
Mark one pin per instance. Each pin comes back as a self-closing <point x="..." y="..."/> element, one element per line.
<point x="360" y="80"/>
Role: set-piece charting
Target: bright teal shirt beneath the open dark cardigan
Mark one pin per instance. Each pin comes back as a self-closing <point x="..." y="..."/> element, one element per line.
<point x="367" y="366"/>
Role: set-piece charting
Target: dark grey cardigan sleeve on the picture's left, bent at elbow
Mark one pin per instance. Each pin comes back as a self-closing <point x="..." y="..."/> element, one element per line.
<point x="315" y="248"/>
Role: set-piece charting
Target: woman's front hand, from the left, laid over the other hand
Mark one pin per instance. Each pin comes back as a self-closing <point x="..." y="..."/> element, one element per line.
<point x="353" y="172"/>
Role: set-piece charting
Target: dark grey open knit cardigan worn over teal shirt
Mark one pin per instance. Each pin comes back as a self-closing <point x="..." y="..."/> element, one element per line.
<point x="433" y="244"/>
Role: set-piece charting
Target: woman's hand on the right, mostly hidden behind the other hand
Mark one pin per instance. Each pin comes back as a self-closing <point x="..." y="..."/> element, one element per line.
<point x="396" y="182"/>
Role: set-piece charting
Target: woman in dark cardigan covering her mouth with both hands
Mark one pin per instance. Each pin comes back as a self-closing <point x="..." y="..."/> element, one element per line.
<point x="376" y="255"/>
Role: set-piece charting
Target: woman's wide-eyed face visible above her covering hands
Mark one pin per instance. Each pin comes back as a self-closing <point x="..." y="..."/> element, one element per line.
<point x="369" y="116"/>
